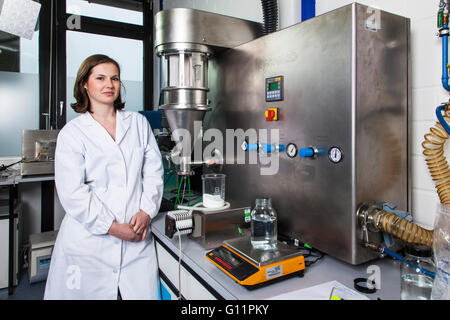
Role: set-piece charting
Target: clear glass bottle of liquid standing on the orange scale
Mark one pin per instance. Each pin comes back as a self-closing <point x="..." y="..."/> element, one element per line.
<point x="264" y="225"/>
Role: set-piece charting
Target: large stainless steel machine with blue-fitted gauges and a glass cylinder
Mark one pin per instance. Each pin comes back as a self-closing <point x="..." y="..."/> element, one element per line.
<point x="321" y="105"/>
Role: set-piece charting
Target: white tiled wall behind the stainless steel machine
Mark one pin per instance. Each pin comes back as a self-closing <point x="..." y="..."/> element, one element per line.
<point x="427" y="92"/>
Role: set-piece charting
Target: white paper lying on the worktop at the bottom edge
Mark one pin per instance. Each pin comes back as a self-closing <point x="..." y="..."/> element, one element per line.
<point x="322" y="292"/>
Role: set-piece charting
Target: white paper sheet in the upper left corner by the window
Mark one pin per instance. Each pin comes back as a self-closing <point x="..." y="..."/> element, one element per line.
<point x="19" y="17"/>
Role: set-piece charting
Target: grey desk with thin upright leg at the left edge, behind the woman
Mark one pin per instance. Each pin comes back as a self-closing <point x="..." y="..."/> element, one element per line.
<point x="12" y="182"/>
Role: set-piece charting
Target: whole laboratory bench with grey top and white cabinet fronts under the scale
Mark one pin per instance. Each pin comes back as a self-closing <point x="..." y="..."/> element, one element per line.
<point x="202" y="280"/>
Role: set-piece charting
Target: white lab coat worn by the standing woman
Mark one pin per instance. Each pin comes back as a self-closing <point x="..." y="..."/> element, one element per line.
<point x="99" y="180"/>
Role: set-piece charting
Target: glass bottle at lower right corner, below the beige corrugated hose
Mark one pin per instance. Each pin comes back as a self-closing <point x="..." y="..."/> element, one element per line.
<point x="415" y="284"/>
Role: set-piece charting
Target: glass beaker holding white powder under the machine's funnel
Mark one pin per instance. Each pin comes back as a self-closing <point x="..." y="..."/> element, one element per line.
<point x="213" y="190"/>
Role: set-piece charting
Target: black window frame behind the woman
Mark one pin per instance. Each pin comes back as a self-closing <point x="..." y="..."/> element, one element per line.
<point x="53" y="67"/>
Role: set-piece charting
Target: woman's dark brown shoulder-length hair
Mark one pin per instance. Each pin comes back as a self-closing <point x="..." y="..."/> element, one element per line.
<point x="79" y="92"/>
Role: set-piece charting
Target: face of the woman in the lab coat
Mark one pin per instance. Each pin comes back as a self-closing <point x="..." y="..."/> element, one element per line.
<point x="103" y="85"/>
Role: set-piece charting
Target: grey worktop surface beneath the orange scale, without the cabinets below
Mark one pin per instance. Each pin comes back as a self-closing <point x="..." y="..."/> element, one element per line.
<point x="326" y="269"/>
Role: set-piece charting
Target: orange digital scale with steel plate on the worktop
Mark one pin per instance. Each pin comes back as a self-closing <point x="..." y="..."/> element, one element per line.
<point x="254" y="268"/>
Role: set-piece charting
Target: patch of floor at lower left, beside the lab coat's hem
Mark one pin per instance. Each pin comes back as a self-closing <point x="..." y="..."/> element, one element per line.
<point x="24" y="290"/>
